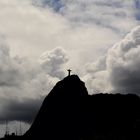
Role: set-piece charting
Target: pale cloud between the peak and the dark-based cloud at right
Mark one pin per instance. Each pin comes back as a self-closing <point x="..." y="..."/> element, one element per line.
<point x="96" y="76"/>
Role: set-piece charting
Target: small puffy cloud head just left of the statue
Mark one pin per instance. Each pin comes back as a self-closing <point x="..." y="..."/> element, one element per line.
<point x="52" y="62"/>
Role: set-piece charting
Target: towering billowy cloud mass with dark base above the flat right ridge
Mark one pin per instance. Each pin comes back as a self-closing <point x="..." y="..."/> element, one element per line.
<point x="119" y="70"/>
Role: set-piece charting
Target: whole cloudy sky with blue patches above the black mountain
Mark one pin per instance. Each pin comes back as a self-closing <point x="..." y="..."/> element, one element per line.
<point x="39" y="39"/>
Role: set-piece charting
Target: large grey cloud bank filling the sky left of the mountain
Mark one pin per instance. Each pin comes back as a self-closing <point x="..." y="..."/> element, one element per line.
<point x="24" y="85"/>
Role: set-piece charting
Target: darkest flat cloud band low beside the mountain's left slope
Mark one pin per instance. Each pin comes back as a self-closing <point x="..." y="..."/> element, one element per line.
<point x="16" y="110"/>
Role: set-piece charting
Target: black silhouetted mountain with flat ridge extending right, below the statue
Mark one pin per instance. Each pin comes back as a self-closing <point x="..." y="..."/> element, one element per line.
<point x="69" y="113"/>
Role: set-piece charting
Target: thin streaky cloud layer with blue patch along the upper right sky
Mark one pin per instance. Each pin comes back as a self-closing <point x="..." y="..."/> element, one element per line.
<point x="109" y="13"/>
